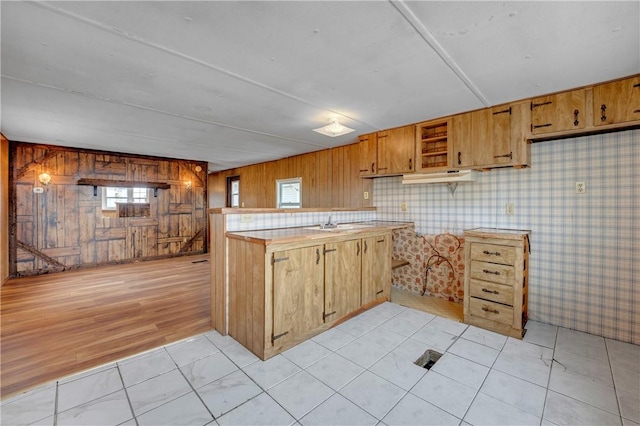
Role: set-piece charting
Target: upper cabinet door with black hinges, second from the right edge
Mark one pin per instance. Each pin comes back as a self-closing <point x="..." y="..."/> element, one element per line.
<point x="555" y="113"/>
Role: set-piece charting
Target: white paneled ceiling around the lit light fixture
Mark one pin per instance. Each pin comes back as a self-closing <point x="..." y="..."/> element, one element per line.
<point x="237" y="83"/>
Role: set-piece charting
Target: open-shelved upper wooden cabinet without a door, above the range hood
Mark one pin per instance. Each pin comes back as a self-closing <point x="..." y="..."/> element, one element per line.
<point x="432" y="146"/>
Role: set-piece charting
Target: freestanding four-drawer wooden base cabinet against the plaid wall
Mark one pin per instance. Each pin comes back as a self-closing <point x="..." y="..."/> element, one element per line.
<point x="496" y="280"/>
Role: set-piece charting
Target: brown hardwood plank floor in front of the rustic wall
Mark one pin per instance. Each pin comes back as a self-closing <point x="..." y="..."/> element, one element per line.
<point x="59" y="324"/>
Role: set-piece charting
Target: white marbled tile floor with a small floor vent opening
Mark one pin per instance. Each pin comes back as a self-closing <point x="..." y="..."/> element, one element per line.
<point x="360" y="372"/>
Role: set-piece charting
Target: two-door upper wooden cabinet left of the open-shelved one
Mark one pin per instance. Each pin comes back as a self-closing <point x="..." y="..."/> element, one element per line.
<point x="388" y="152"/>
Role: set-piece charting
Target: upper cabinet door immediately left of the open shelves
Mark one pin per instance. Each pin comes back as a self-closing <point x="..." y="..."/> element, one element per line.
<point x="396" y="150"/>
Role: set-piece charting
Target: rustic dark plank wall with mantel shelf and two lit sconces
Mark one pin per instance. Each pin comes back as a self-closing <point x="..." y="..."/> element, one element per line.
<point x="65" y="227"/>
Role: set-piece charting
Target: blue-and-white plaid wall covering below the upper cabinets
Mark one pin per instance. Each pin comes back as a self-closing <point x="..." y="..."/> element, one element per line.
<point x="584" y="270"/>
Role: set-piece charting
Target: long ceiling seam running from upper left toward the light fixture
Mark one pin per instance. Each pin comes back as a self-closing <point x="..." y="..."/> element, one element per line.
<point x="134" y="38"/>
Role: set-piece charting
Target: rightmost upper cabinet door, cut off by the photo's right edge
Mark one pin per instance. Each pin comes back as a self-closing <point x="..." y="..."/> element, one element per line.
<point x="616" y="102"/>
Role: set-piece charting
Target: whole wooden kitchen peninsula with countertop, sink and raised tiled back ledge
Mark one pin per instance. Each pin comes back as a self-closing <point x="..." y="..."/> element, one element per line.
<point x="288" y="279"/>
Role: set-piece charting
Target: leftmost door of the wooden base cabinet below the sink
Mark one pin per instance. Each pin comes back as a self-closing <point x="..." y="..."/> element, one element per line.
<point x="298" y="292"/>
